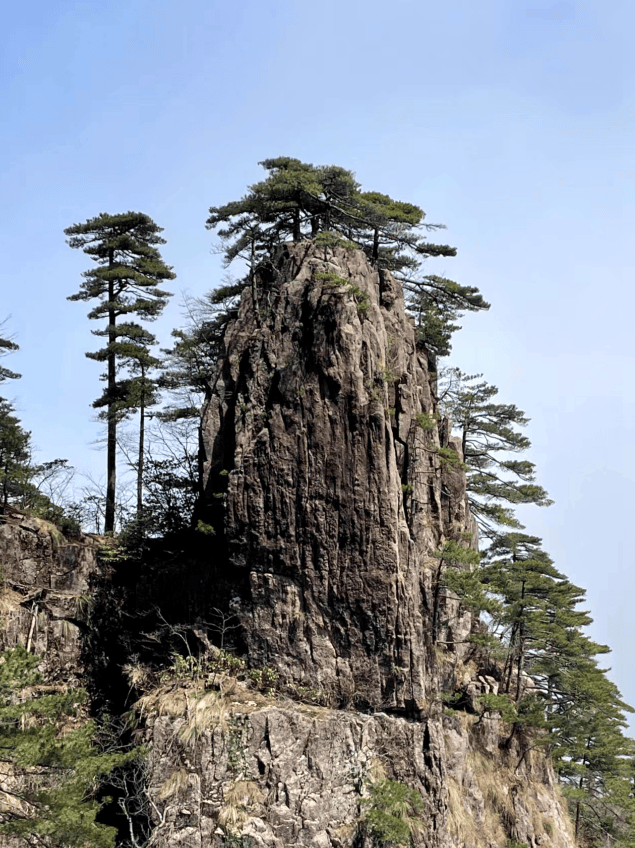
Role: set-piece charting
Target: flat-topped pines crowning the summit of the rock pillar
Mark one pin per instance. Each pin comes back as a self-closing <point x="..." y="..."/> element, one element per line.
<point x="325" y="203"/>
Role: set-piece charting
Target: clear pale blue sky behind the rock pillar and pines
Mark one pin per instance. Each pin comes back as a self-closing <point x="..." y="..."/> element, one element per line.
<point x="511" y="122"/>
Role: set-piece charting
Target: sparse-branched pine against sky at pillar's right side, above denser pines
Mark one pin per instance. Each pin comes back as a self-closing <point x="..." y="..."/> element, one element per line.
<point x="488" y="435"/>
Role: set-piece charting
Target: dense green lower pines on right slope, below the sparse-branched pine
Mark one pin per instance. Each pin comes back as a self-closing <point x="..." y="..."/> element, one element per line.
<point x="552" y="682"/>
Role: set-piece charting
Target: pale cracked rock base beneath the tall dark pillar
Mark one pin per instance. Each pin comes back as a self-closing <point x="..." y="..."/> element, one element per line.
<point x="237" y="768"/>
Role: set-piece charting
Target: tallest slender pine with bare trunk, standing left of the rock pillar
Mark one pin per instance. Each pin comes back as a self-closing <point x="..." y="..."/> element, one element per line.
<point x="125" y="282"/>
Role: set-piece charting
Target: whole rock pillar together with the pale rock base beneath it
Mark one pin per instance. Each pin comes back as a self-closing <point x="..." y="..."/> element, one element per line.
<point x="331" y="483"/>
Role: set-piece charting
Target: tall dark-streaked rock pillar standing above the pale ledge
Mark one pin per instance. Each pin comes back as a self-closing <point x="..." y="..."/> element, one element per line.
<point x="328" y="492"/>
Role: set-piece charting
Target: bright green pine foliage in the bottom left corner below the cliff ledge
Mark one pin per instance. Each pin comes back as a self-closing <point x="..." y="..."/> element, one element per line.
<point x="50" y="797"/>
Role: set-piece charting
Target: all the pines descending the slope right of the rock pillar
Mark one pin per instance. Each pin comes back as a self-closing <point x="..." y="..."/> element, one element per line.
<point x="552" y="682"/>
